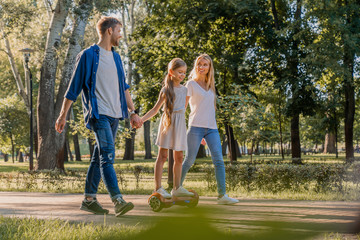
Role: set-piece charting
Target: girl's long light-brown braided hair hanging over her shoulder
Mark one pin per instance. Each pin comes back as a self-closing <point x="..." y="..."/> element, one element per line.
<point x="169" y="91"/>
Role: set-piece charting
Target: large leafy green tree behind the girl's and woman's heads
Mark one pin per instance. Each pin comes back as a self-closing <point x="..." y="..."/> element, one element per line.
<point x="223" y="29"/>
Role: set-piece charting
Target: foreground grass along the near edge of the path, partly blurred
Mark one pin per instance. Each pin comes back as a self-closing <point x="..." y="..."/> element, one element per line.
<point x="196" y="224"/>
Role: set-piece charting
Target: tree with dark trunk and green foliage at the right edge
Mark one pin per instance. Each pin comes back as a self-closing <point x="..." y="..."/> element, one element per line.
<point x="338" y="27"/>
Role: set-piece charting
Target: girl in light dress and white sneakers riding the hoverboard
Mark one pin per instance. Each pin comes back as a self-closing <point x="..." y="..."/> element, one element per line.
<point x="172" y="128"/>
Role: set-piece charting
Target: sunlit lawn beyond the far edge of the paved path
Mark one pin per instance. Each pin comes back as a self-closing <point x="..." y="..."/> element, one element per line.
<point x="14" y="177"/>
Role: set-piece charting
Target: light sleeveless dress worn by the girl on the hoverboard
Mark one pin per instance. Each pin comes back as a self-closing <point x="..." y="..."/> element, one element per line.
<point x="175" y="136"/>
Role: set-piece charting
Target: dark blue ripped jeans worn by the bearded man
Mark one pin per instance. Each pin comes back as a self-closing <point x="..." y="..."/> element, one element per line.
<point x="101" y="165"/>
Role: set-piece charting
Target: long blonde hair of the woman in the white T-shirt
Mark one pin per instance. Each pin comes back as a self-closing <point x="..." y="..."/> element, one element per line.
<point x="209" y="79"/>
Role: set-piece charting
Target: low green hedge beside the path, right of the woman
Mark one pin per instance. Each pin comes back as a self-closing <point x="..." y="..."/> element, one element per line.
<point x="279" y="177"/>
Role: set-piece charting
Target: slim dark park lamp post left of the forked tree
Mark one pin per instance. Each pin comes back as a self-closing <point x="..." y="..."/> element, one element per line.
<point x="26" y="52"/>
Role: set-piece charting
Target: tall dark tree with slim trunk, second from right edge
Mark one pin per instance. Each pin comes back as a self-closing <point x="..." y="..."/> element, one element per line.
<point x="292" y="36"/>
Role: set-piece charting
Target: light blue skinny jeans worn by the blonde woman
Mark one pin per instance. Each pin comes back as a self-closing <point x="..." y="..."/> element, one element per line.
<point x="212" y="137"/>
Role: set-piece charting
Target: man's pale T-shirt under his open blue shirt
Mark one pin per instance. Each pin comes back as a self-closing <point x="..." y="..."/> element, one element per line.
<point x="107" y="85"/>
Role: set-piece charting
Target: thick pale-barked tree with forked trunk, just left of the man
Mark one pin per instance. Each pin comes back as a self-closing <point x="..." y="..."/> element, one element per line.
<point x="51" y="155"/>
